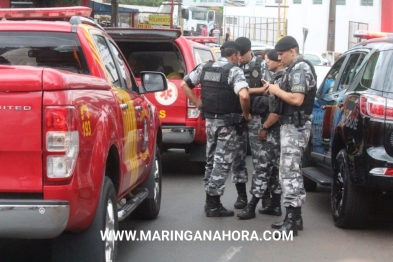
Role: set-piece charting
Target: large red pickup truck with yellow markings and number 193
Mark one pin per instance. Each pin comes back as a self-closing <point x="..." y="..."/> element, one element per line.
<point x="79" y="141"/>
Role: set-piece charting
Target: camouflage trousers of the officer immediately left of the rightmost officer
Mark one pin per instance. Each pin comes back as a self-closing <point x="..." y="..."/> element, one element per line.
<point x="265" y="157"/>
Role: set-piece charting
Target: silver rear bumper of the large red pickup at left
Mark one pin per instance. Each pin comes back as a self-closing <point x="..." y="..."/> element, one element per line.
<point x="33" y="219"/>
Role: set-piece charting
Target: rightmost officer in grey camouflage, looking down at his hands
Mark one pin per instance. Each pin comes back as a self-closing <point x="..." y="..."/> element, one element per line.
<point x="297" y="94"/>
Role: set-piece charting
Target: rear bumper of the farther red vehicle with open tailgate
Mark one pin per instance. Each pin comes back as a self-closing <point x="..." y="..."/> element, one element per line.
<point x="178" y="134"/>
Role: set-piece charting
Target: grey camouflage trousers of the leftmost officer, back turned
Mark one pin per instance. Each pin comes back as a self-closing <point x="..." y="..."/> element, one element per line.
<point x="220" y="152"/>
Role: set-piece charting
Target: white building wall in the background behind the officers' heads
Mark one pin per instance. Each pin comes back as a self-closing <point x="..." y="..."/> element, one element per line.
<point x="314" y="15"/>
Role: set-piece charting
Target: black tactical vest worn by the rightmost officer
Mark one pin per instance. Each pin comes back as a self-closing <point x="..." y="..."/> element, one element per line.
<point x="308" y="102"/>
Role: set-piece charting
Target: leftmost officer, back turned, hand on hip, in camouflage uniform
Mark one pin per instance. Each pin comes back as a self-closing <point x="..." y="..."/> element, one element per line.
<point x="225" y="100"/>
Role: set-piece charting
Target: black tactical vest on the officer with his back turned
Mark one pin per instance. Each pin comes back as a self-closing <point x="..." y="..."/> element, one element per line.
<point x="218" y="96"/>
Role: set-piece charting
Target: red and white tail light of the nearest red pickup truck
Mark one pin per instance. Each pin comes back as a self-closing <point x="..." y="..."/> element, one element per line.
<point x="61" y="143"/>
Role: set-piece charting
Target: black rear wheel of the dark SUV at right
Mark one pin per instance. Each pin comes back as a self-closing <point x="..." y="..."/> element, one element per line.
<point x="349" y="203"/>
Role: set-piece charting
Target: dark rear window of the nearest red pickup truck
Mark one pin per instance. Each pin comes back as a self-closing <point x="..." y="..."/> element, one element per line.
<point x="43" y="49"/>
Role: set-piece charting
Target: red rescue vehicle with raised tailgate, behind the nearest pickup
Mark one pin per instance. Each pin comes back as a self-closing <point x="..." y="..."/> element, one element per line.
<point x="167" y="51"/>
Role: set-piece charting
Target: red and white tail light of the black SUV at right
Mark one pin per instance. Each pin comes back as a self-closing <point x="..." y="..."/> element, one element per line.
<point x="376" y="107"/>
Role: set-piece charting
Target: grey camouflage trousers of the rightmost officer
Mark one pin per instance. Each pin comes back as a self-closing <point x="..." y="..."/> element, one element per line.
<point x="293" y="143"/>
